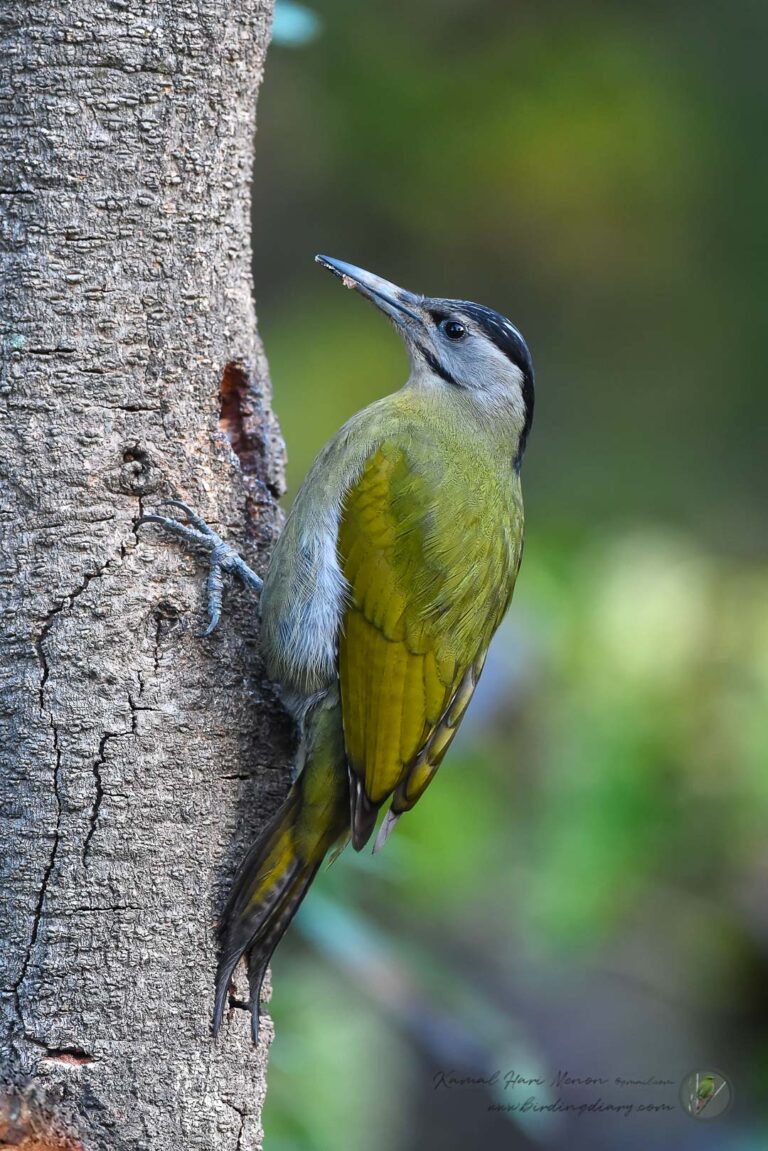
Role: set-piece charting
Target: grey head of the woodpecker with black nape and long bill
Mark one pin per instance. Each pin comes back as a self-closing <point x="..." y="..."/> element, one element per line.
<point x="454" y="344"/>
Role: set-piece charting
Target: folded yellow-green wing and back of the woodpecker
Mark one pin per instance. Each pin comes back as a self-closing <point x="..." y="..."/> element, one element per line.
<point x="431" y="573"/>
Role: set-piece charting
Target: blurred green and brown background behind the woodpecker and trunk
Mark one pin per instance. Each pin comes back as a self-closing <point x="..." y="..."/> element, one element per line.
<point x="584" y="888"/>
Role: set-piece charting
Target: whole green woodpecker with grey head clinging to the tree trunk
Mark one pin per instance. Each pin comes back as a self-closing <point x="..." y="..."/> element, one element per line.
<point x="396" y="567"/>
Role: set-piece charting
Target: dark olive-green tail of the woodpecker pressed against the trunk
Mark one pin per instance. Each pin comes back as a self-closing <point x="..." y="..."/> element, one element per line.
<point x="277" y="873"/>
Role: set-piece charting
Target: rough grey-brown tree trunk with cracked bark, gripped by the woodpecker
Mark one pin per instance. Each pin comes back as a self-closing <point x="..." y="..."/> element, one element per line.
<point x="136" y="758"/>
